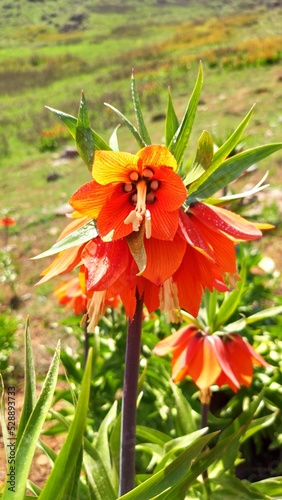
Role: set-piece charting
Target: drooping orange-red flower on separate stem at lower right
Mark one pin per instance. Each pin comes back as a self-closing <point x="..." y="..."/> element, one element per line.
<point x="210" y="359"/>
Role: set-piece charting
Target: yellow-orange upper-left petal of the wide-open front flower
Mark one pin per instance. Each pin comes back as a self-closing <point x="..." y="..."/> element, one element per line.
<point x="113" y="166"/>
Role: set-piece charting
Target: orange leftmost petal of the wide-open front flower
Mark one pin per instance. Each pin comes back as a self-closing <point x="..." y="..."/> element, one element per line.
<point x="90" y="198"/>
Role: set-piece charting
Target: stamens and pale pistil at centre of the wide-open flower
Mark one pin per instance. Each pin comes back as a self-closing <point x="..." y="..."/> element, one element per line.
<point x="143" y="192"/>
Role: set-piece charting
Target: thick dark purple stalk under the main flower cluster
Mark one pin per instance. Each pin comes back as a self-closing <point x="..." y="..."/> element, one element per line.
<point x="130" y="391"/>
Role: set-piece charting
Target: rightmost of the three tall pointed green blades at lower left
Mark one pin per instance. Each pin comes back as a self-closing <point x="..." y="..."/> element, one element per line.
<point x="65" y="465"/>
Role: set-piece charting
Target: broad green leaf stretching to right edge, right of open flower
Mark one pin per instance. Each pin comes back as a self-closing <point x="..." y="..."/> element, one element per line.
<point x="217" y="178"/>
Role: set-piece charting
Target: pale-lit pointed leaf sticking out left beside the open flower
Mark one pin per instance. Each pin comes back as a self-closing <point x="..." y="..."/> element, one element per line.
<point x="81" y="235"/>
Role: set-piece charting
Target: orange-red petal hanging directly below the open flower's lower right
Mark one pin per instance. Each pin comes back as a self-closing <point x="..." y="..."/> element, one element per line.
<point x="168" y="255"/>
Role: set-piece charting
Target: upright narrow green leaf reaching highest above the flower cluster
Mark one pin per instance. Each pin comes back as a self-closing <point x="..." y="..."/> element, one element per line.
<point x="180" y="139"/>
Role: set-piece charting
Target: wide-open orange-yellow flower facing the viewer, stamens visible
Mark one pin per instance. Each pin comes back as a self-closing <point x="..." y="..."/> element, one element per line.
<point x="131" y="189"/>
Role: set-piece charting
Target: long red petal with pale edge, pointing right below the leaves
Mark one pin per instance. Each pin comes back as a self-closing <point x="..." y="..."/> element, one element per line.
<point x="222" y="220"/>
